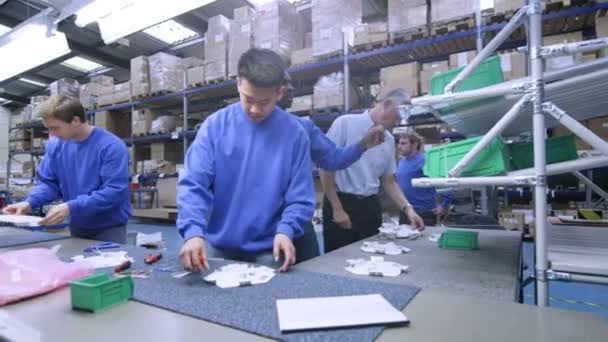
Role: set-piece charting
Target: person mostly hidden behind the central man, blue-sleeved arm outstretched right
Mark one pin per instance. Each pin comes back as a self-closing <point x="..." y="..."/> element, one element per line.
<point x="328" y="156"/>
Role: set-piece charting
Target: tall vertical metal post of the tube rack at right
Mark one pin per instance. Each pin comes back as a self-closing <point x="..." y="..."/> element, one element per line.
<point x="540" y="189"/>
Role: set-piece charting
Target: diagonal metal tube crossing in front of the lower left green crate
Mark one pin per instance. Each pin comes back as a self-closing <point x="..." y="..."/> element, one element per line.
<point x="488" y="137"/>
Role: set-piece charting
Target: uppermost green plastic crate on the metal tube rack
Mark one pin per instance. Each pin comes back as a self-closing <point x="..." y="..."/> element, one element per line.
<point x="486" y="74"/>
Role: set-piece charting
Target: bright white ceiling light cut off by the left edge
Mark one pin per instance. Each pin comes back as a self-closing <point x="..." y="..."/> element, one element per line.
<point x="31" y="44"/>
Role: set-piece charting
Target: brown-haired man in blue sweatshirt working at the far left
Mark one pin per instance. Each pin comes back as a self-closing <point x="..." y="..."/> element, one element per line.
<point x="87" y="168"/>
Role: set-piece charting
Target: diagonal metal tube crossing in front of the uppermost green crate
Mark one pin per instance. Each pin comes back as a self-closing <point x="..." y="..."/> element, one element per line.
<point x="500" y="38"/>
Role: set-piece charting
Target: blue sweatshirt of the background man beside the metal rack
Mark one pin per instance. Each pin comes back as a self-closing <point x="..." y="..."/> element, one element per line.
<point x="422" y="199"/>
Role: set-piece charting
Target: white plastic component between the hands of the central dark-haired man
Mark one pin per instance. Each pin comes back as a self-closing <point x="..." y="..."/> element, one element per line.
<point x="235" y="275"/>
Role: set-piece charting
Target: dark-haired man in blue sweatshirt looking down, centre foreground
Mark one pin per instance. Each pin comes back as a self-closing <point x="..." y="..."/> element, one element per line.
<point x="247" y="192"/>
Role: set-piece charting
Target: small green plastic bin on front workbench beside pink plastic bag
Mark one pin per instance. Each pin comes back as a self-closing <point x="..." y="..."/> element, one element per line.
<point x="99" y="292"/>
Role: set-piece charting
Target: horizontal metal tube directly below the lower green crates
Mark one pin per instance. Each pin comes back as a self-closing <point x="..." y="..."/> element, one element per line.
<point x="466" y="182"/>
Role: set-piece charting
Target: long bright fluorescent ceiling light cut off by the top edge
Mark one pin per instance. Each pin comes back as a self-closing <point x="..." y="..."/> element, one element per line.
<point x="135" y="15"/>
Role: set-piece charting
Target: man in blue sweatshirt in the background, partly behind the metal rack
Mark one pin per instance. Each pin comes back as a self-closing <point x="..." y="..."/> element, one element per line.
<point x="424" y="200"/>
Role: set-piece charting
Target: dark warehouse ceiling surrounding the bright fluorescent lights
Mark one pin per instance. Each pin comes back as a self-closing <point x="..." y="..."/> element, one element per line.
<point x="115" y="58"/>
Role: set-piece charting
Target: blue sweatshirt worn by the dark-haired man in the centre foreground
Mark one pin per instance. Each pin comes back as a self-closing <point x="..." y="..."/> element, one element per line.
<point x="245" y="182"/>
